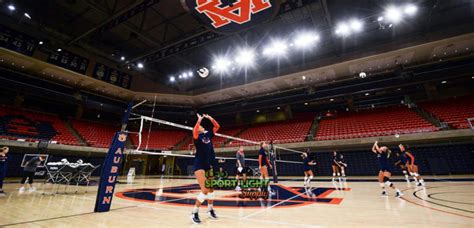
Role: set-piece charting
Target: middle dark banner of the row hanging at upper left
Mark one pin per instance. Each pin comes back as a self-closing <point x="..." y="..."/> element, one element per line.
<point x="69" y="61"/>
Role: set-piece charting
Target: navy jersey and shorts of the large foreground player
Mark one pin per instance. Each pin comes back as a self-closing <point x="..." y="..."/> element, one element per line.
<point x="205" y="154"/>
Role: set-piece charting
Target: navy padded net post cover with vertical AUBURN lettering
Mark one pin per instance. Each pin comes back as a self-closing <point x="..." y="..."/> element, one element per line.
<point x="110" y="172"/>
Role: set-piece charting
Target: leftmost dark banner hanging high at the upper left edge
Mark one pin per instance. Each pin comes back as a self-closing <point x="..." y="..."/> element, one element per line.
<point x="17" y="41"/>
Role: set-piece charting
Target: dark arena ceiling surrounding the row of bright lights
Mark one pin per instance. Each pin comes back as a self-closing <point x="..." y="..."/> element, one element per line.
<point x="162" y="24"/>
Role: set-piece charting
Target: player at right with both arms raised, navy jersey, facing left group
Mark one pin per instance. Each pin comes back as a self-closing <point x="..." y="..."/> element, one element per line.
<point x="383" y="155"/>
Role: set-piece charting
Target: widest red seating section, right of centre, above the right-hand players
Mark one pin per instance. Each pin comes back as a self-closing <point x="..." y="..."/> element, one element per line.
<point x="369" y="123"/>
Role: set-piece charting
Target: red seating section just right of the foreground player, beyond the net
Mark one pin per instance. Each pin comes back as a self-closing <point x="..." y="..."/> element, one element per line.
<point x="289" y="131"/>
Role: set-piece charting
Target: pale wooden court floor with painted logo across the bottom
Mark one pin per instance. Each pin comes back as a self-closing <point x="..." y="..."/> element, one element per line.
<point x="166" y="202"/>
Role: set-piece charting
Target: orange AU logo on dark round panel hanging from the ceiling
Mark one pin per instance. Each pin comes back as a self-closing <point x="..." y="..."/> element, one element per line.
<point x="232" y="15"/>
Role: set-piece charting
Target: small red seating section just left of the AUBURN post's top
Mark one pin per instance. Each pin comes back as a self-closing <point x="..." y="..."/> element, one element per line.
<point x="95" y="134"/>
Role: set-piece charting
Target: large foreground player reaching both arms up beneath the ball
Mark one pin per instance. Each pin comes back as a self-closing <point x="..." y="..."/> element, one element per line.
<point x="204" y="161"/>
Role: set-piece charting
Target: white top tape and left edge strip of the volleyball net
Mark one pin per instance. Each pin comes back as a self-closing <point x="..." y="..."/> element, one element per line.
<point x="164" y="122"/>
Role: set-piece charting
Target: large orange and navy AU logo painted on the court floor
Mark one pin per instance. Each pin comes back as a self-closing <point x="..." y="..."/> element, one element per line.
<point x="284" y="196"/>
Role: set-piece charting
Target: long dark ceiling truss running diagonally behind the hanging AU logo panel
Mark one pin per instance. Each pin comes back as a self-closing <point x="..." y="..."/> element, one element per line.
<point x="196" y="40"/>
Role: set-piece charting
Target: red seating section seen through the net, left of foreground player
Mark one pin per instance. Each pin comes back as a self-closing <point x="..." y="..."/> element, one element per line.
<point x="159" y="139"/>
